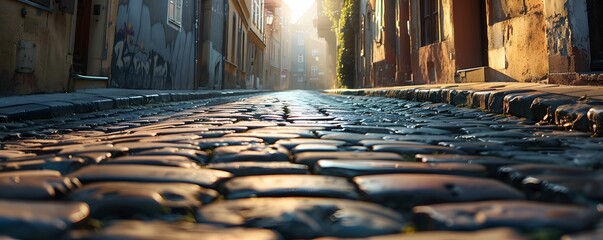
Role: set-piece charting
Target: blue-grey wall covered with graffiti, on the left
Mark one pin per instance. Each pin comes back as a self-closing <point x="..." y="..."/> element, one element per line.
<point x="150" y="54"/>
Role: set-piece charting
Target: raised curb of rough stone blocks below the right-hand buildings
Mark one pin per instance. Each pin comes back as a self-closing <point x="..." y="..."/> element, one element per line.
<point x="535" y="102"/>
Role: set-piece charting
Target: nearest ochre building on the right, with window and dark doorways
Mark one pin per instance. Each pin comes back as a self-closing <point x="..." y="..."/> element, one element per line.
<point x="507" y="40"/>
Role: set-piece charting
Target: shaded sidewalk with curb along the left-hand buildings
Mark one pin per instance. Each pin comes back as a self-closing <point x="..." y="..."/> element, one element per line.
<point x="44" y="106"/>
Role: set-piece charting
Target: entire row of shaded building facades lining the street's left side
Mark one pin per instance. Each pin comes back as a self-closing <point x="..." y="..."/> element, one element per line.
<point x="169" y="44"/>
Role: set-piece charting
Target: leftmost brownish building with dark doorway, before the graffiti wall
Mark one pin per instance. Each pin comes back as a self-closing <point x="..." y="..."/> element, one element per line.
<point x="45" y="42"/>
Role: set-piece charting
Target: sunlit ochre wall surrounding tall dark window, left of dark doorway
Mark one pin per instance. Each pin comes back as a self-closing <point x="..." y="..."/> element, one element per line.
<point x="433" y="63"/>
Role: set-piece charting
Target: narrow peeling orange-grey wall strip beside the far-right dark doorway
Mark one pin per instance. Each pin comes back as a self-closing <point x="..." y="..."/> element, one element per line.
<point x="568" y="36"/>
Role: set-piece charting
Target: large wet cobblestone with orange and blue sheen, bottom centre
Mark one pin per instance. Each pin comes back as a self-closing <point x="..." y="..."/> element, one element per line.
<point x="305" y="217"/>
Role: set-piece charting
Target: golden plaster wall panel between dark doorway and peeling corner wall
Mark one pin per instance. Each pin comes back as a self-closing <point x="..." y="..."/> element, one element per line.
<point x="517" y="43"/>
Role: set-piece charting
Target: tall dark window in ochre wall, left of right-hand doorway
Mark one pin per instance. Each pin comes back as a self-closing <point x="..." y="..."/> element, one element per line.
<point x="430" y="22"/>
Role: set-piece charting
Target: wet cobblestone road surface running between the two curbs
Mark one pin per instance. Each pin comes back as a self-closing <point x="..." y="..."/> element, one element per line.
<point x="298" y="165"/>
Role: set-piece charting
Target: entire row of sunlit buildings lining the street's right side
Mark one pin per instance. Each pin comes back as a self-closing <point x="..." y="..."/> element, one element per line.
<point x="403" y="42"/>
